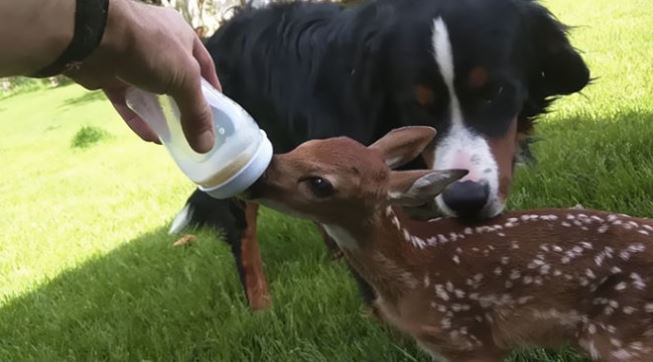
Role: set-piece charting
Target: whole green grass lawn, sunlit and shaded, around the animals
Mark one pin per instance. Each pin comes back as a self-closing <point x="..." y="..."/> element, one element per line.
<point x="88" y="272"/>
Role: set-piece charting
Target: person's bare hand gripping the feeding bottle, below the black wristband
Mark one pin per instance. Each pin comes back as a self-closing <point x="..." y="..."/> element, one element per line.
<point x="152" y="48"/>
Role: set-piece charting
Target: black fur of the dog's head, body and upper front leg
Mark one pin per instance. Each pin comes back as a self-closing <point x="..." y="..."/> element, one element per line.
<point x="316" y="70"/>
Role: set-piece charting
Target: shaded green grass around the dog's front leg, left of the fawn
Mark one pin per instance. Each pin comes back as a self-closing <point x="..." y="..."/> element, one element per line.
<point x="148" y="300"/>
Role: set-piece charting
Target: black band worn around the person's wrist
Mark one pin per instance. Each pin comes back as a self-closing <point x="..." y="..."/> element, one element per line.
<point x="90" y="22"/>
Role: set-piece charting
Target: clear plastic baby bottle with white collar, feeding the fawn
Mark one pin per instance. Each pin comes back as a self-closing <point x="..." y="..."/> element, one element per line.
<point x="241" y="152"/>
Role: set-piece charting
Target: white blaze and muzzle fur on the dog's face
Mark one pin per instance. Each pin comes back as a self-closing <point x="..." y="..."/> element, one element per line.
<point x="460" y="147"/>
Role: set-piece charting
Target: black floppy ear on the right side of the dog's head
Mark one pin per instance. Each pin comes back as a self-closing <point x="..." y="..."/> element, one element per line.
<point x="559" y="68"/>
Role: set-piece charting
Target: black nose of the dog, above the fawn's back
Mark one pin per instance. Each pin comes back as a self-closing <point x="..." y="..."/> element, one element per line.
<point x="466" y="198"/>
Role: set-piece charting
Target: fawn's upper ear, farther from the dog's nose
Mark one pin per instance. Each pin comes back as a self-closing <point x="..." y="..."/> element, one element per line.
<point x="403" y="145"/>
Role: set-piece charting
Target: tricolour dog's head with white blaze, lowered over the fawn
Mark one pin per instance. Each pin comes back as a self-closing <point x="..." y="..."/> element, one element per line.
<point x="479" y="71"/>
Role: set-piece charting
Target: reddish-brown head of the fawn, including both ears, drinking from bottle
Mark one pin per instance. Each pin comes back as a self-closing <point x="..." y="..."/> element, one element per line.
<point x="332" y="179"/>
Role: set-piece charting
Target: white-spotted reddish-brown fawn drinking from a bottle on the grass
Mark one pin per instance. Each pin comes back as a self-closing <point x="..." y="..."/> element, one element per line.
<point x="472" y="292"/>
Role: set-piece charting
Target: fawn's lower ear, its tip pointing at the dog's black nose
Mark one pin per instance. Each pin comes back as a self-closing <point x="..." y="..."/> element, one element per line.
<point x="415" y="188"/>
